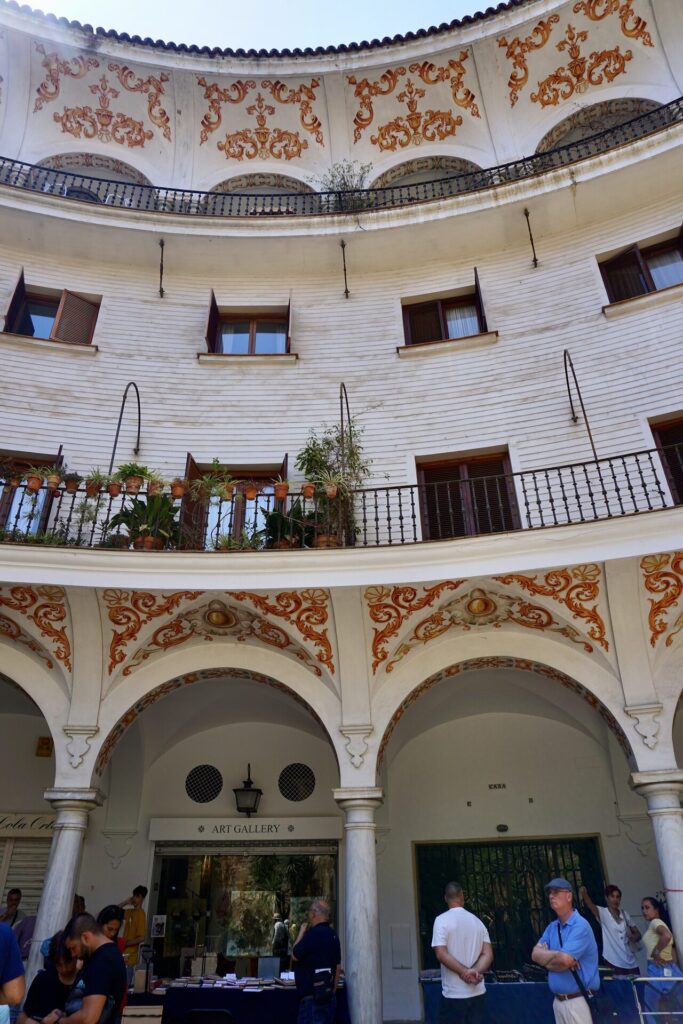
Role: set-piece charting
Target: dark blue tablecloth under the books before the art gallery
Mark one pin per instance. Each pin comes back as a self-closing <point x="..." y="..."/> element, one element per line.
<point x="278" y="1006"/>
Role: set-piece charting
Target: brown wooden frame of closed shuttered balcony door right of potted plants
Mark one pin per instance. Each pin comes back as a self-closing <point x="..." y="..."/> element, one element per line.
<point x="468" y="515"/>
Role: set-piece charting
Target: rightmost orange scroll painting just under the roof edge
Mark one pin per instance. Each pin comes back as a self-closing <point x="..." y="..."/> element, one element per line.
<point x="585" y="66"/>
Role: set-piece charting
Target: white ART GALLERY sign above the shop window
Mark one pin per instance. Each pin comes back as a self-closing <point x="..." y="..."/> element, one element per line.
<point x="212" y="830"/>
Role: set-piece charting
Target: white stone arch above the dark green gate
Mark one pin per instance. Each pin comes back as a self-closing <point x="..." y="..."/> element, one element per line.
<point x="493" y="650"/>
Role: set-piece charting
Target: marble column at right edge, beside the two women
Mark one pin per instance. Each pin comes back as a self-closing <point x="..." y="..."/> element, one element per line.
<point x="663" y="791"/>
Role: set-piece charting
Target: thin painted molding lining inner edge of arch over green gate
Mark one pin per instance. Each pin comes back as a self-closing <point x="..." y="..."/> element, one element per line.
<point x="497" y="663"/>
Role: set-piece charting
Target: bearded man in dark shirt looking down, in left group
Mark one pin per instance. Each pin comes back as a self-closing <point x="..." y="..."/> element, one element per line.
<point x="103" y="983"/>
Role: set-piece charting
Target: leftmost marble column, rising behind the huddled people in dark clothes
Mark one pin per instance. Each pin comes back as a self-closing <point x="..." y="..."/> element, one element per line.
<point x="73" y="809"/>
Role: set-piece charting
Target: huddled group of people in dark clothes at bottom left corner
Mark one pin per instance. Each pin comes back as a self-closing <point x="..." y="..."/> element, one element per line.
<point x="88" y="968"/>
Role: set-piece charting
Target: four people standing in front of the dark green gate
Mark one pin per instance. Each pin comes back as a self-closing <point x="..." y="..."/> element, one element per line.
<point x="568" y="950"/>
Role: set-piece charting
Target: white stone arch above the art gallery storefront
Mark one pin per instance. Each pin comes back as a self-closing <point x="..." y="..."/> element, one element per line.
<point x="130" y="698"/>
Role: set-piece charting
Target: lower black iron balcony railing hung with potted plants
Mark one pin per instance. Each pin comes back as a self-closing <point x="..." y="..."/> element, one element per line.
<point x="579" y="493"/>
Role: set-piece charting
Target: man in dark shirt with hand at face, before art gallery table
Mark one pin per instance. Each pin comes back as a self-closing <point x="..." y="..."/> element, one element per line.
<point x="317" y="957"/>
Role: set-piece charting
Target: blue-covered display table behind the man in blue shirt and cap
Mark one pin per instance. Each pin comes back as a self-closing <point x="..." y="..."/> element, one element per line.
<point x="513" y="1003"/>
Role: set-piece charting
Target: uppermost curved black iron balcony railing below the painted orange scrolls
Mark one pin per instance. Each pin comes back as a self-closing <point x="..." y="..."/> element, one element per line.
<point x="185" y="201"/>
